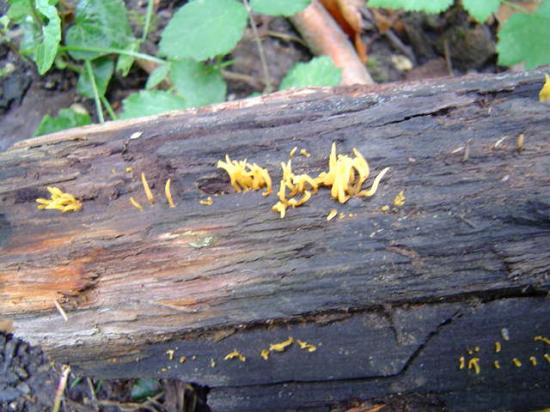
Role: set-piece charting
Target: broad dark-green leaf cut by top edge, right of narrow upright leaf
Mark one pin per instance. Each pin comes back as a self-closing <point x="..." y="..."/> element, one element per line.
<point x="99" y="24"/>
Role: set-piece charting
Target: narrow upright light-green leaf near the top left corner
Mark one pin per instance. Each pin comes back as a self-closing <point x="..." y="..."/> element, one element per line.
<point x="46" y="50"/>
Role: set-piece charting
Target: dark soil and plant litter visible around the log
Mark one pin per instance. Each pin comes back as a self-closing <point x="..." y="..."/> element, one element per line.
<point x="450" y="44"/>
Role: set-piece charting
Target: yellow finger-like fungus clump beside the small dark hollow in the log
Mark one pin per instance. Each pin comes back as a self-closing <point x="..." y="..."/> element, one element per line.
<point x="245" y="176"/>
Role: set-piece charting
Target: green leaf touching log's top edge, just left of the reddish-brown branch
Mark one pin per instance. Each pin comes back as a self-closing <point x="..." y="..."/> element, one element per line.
<point x="319" y="71"/>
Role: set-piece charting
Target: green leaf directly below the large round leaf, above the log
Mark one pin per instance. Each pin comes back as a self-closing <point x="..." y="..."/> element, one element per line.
<point x="198" y="83"/>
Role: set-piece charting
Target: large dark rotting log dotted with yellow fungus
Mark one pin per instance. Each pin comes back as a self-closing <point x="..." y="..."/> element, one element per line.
<point x="391" y="300"/>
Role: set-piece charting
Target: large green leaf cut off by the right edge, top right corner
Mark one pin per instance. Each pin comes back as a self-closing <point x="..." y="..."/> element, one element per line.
<point x="524" y="38"/>
